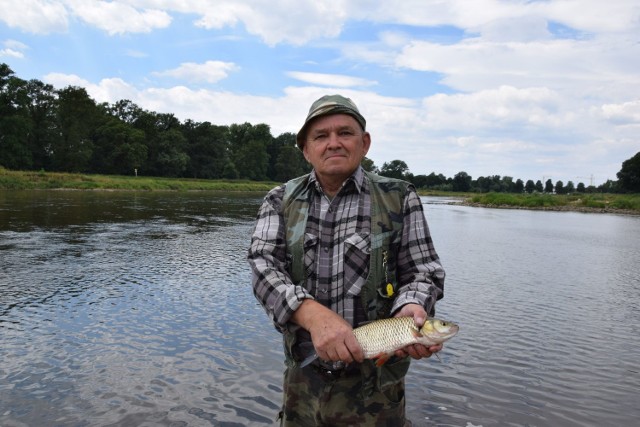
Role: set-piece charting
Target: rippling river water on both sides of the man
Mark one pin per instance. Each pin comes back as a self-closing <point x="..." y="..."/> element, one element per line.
<point x="130" y="308"/>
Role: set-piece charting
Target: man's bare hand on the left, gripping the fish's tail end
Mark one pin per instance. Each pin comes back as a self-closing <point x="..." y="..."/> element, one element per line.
<point x="331" y="335"/>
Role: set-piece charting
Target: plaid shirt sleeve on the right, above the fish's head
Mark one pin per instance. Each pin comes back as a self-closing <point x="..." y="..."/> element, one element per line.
<point x="420" y="273"/>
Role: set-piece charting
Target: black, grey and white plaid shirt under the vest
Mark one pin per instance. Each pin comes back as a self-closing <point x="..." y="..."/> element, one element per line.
<point x="333" y="226"/>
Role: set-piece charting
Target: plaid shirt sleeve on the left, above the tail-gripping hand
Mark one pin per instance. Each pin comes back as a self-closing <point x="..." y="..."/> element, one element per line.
<point x="267" y="256"/>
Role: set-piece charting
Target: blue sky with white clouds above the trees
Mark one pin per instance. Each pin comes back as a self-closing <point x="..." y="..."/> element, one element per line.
<point x="528" y="89"/>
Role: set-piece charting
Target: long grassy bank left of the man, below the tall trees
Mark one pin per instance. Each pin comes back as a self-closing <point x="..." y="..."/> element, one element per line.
<point x="31" y="180"/>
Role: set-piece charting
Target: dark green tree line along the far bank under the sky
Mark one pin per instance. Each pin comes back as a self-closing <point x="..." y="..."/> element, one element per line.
<point x="65" y="130"/>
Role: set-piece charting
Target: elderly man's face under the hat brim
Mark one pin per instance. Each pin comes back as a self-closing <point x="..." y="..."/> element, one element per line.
<point x="335" y="146"/>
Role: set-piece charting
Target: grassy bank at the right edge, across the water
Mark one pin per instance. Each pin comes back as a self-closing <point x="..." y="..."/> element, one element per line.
<point x="623" y="203"/>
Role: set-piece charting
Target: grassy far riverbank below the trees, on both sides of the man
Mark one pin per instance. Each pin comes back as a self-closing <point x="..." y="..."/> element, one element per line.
<point x="33" y="180"/>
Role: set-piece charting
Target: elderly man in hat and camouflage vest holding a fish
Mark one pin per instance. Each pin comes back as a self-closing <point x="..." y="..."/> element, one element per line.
<point x="332" y="250"/>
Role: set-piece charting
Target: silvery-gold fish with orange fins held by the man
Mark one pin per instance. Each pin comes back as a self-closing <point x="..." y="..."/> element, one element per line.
<point x="380" y="339"/>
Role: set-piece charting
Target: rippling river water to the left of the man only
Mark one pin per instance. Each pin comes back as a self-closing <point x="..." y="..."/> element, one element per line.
<point x="135" y="311"/>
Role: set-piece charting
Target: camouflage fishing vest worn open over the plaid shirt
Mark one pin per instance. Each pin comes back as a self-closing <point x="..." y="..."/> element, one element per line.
<point x="379" y="291"/>
